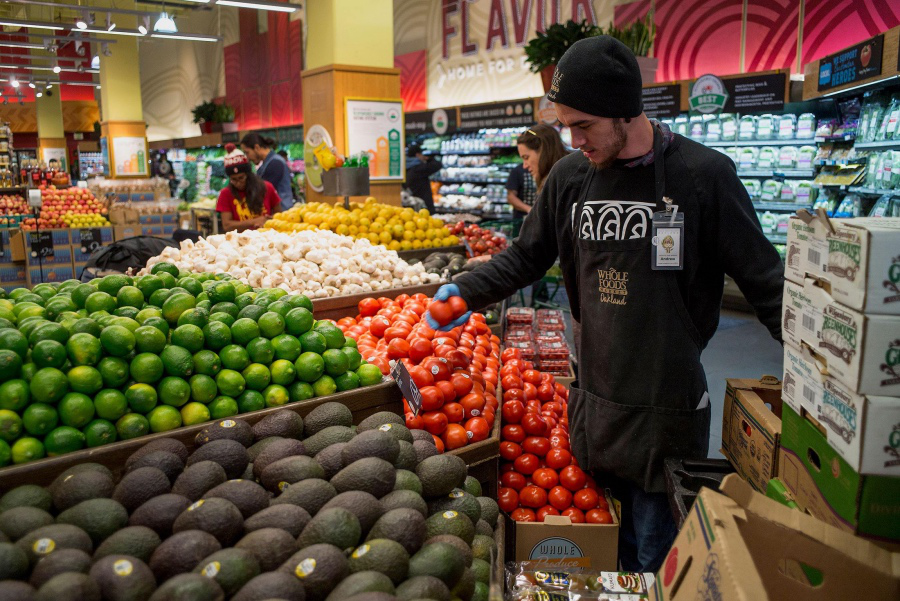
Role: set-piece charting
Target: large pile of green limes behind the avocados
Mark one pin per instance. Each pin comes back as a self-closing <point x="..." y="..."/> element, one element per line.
<point x="86" y="364"/>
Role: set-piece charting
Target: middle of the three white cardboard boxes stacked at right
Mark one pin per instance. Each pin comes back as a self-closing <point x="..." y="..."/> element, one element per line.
<point x="861" y="351"/>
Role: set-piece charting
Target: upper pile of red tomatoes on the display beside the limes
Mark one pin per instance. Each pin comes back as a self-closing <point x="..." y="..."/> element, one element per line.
<point x="456" y="372"/>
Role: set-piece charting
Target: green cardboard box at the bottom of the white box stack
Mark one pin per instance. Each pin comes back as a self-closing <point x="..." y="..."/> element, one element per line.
<point x="827" y="487"/>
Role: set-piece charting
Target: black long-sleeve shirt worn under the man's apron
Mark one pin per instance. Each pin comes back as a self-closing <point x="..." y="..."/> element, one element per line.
<point x="722" y="236"/>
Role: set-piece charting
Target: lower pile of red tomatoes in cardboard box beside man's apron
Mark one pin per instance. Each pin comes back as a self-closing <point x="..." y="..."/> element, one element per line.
<point x="539" y="476"/>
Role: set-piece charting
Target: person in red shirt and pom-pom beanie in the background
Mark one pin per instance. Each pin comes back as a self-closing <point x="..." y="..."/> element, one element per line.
<point x="247" y="201"/>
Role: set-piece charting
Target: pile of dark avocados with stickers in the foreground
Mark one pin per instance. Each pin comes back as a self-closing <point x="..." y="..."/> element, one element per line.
<point x="312" y="509"/>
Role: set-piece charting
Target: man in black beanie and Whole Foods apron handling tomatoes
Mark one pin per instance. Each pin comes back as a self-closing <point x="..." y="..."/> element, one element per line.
<point x="646" y="224"/>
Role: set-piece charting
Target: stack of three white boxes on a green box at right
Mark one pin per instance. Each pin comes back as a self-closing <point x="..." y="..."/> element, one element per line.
<point x="840" y="439"/>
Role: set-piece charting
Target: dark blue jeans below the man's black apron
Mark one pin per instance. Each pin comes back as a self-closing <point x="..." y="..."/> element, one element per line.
<point x="647" y="528"/>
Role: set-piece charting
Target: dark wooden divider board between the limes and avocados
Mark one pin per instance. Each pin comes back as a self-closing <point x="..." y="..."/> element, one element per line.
<point x="362" y="403"/>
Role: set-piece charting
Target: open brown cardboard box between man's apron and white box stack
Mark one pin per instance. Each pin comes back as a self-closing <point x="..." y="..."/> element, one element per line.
<point x="751" y="428"/>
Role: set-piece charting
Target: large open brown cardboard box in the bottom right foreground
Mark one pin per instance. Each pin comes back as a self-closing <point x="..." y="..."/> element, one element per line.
<point x="740" y="545"/>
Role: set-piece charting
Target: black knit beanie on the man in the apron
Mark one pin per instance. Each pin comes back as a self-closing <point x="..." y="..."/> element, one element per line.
<point x="599" y="76"/>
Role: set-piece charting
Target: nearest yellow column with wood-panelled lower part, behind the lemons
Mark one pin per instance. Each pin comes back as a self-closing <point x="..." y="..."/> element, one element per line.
<point x="350" y="55"/>
